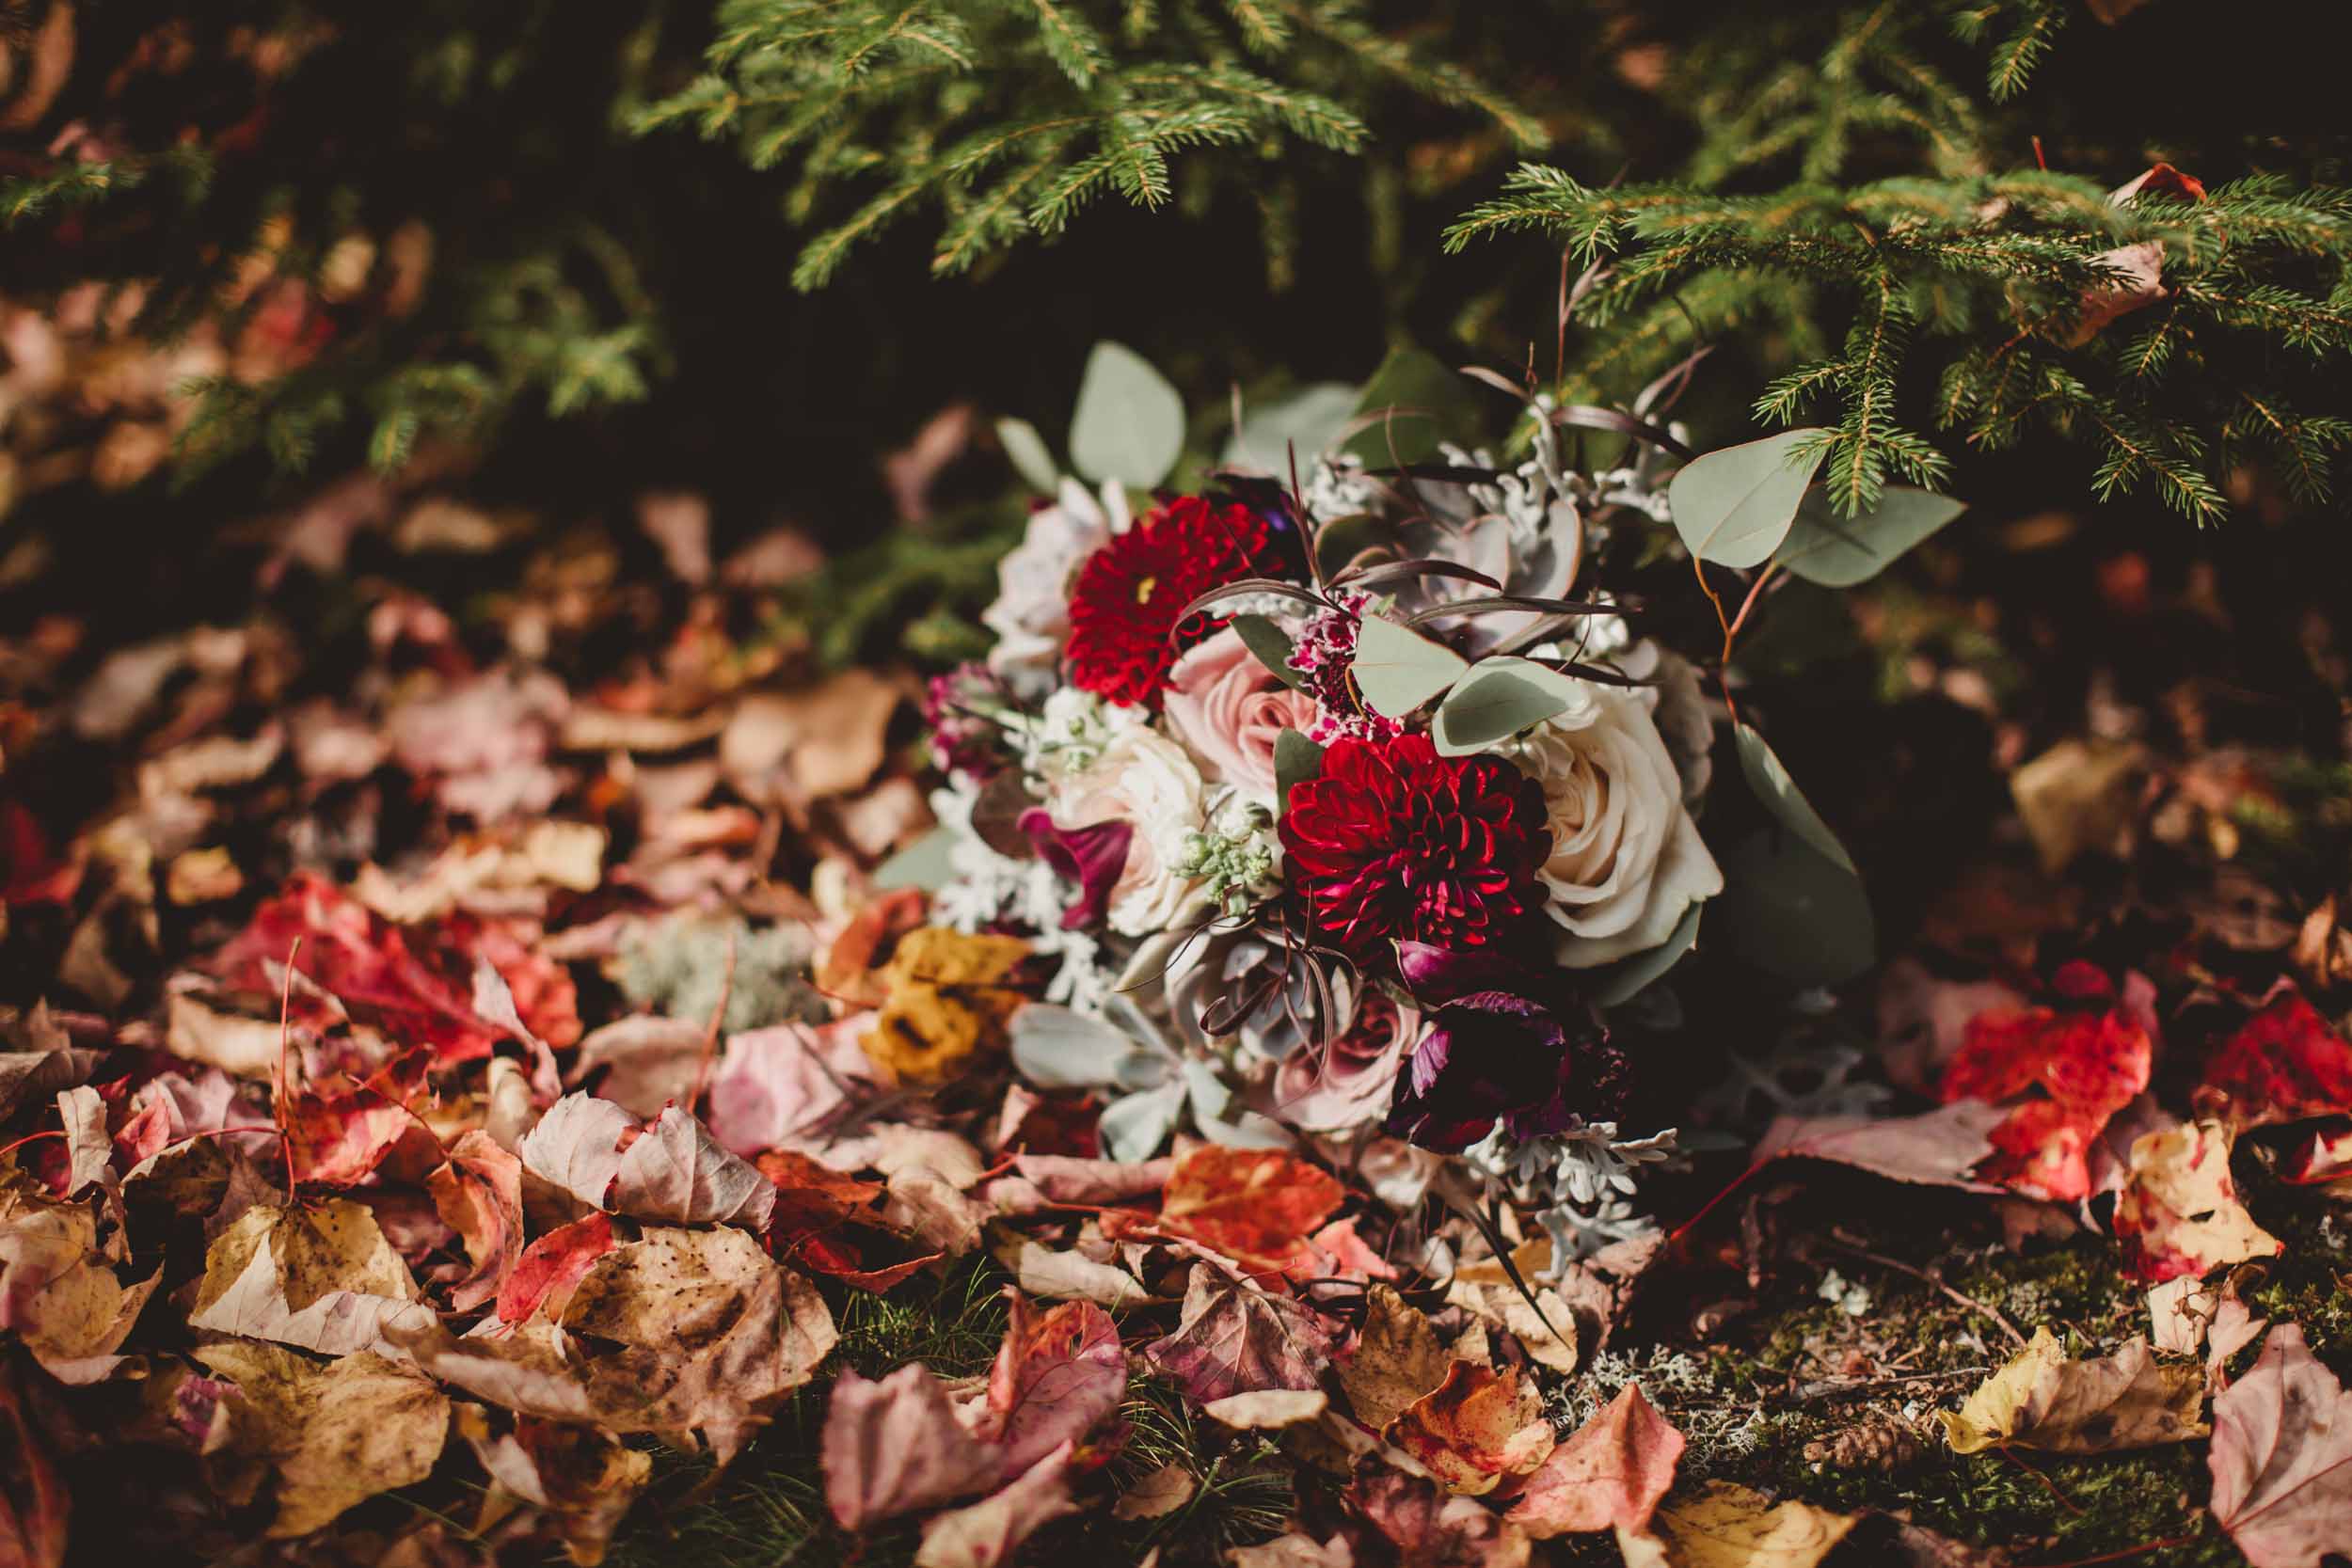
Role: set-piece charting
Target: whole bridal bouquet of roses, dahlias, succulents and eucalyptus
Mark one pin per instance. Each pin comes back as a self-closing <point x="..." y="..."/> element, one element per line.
<point x="1347" y="798"/>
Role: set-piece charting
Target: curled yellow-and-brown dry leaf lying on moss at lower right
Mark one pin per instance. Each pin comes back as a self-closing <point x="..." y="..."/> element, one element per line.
<point x="2102" y="1405"/>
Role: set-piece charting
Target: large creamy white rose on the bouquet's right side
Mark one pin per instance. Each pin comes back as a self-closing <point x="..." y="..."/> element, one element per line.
<point x="1626" y="855"/>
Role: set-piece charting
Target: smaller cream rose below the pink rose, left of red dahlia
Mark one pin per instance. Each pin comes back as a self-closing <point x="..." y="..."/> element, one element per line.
<point x="1147" y="782"/>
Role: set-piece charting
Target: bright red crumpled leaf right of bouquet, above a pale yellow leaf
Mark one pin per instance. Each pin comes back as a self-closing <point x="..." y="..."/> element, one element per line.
<point x="2090" y="1066"/>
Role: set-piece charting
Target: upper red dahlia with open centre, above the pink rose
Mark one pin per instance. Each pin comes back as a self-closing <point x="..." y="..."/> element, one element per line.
<point x="1130" y="594"/>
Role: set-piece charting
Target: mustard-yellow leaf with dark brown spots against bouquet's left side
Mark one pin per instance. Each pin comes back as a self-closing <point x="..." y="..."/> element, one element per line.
<point x="944" y="1003"/>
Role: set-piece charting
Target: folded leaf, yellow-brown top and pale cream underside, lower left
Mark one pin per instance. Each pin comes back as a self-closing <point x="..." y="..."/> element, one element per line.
<point x="321" y="1278"/>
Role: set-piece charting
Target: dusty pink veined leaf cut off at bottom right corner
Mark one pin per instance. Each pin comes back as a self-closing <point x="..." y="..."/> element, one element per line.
<point x="2283" y="1459"/>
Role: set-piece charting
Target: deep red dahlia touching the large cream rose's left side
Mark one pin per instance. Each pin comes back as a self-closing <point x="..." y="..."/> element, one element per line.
<point x="1394" y="840"/>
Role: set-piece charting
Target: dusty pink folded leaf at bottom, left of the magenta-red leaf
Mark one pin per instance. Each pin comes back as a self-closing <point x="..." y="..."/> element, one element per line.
<point x="895" y="1447"/>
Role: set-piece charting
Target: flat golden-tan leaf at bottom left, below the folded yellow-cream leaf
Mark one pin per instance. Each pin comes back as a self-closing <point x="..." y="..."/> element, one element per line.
<point x="338" y="1433"/>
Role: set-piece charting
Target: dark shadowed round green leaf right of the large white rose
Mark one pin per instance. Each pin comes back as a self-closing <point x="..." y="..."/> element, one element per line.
<point x="1796" y="913"/>
